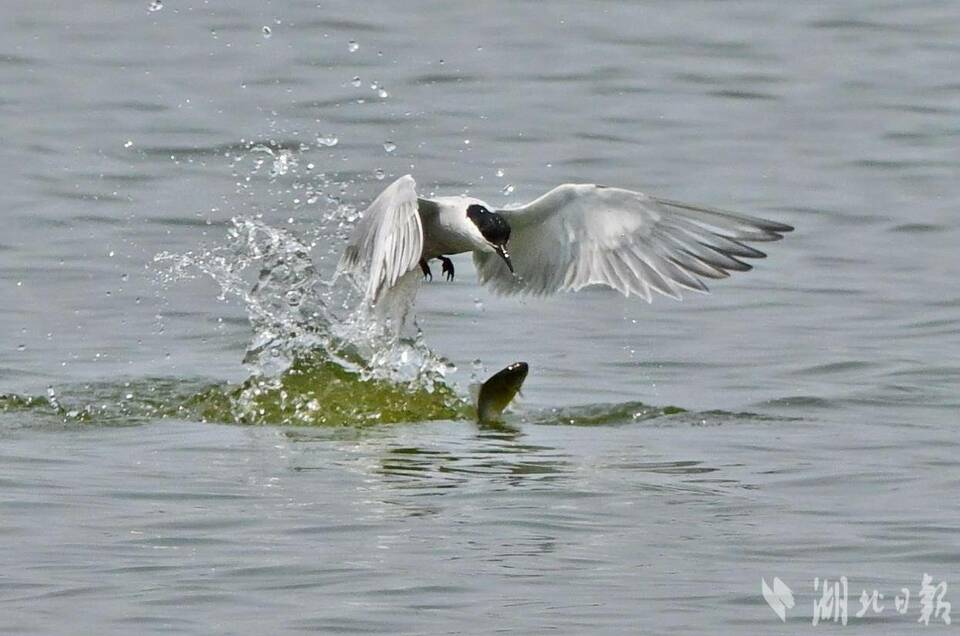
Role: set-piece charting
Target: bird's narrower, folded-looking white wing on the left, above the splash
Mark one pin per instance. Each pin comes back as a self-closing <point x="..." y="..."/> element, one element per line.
<point x="388" y="241"/>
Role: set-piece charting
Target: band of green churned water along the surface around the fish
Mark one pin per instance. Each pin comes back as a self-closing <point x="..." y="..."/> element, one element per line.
<point x="314" y="391"/>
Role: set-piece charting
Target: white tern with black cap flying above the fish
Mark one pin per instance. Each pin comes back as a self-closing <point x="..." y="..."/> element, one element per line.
<point x="573" y="236"/>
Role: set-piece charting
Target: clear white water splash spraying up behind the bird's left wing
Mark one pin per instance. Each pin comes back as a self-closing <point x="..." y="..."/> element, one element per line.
<point x="293" y="312"/>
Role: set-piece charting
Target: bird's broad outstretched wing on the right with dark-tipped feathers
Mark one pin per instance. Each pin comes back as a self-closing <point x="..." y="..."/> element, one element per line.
<point x="583" y="234"/>
